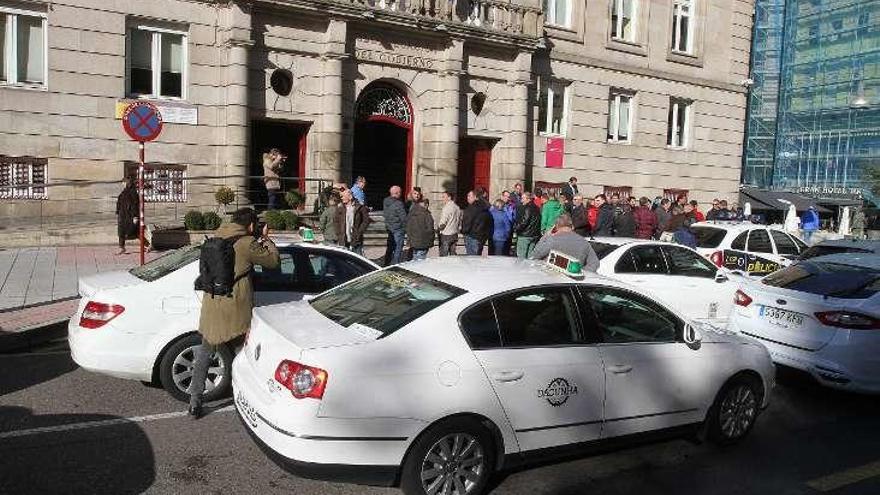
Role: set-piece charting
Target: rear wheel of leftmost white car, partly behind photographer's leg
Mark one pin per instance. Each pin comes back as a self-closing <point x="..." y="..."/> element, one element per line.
<point x="175" y="369"/>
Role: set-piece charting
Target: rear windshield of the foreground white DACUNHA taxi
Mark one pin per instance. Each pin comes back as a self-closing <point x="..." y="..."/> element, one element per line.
<point x="384" y="301"/>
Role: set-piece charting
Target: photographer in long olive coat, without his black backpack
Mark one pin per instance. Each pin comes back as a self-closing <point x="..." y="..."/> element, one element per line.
<point x="226" y="318"/>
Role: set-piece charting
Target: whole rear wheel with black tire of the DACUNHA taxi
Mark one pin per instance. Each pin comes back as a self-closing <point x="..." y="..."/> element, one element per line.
<point x="471" y="464"/>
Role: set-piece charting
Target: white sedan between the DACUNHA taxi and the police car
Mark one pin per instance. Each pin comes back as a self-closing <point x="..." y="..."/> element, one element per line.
<point x="675" y="274"/>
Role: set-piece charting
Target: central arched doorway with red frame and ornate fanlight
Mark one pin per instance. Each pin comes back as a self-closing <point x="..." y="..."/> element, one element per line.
<point x="383" y="141"/>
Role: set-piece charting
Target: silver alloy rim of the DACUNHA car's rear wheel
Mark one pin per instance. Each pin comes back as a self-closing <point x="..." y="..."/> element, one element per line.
<point x="454" y="465"/>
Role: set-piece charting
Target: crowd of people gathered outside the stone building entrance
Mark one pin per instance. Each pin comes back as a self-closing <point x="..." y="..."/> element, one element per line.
<point x="514" y="223"/>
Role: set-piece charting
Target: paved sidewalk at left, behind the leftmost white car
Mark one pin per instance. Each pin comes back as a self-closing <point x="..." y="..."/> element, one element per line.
<point x="38" y="286"/>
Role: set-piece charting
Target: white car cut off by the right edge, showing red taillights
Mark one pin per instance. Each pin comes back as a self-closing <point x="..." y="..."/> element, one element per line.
<point x="821" y="316"/>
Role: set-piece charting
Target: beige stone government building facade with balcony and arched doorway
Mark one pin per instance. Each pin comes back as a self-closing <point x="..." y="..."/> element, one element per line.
<point x="437" y="95"/>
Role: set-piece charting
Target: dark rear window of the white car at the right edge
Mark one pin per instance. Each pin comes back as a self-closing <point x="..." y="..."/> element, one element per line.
<point x="827" y="279"/>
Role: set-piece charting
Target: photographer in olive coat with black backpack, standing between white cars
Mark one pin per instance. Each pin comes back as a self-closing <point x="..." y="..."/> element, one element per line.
<point x="225" y="264"/>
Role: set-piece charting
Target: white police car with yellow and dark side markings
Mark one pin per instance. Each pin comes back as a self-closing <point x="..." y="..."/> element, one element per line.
<point x="746" y="247"/>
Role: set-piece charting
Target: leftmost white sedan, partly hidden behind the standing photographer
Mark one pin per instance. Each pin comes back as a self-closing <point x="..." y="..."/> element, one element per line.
<point x="141" y="324"/>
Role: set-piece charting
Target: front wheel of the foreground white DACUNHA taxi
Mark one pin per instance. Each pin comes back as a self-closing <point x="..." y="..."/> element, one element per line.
<point x="735" y="410"/>
